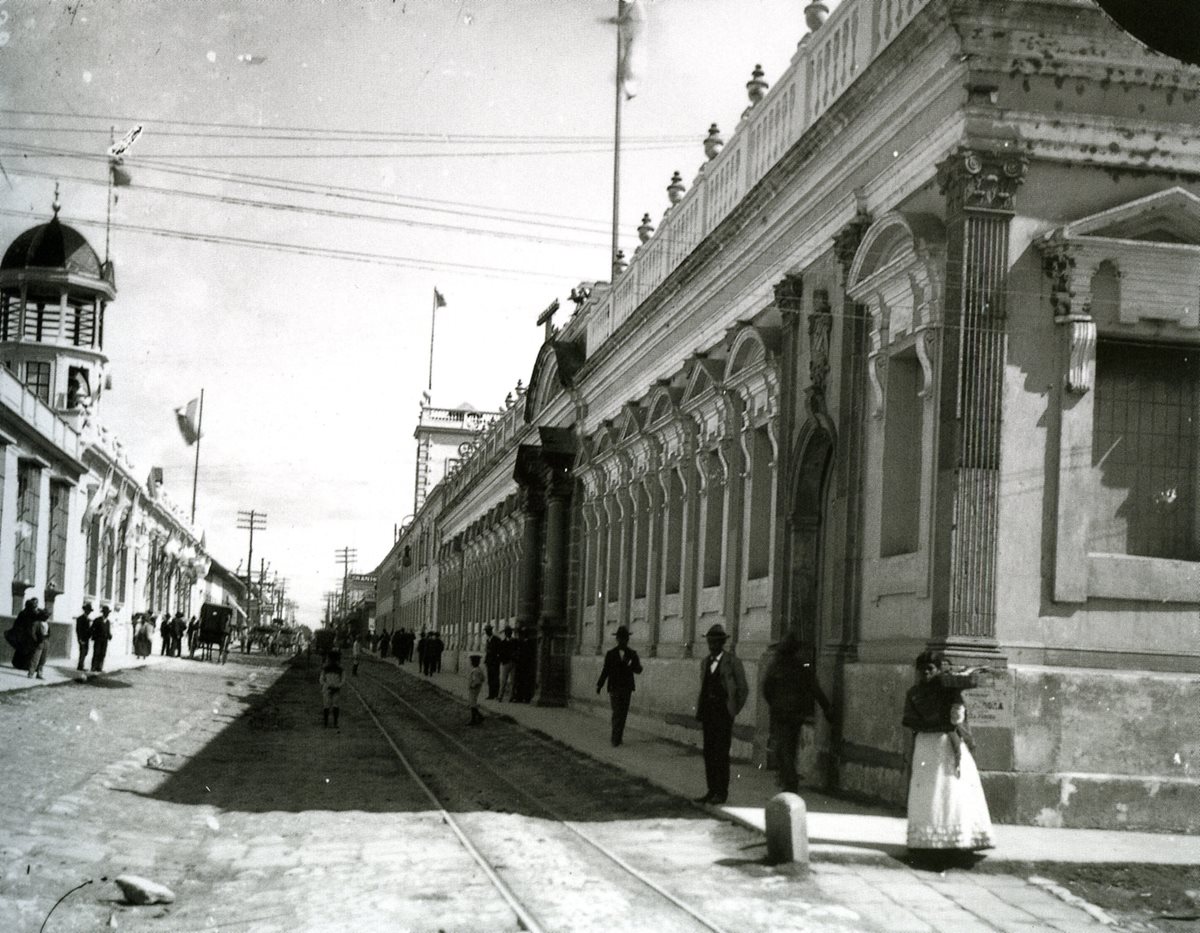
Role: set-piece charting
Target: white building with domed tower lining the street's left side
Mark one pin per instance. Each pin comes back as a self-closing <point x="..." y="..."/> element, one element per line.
<point x="79" y="522"/>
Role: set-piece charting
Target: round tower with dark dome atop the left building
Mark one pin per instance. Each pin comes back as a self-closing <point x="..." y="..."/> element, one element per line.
<point x="55" y="293"/>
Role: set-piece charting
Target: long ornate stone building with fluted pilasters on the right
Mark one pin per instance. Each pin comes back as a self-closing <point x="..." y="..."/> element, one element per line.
<point x="915" y="363"/>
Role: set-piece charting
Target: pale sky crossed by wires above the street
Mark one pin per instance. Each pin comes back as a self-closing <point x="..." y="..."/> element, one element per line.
<point x="464" y="146"/>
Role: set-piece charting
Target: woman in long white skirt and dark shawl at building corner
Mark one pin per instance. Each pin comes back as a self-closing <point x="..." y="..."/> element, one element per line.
<point x="947" y="810"/>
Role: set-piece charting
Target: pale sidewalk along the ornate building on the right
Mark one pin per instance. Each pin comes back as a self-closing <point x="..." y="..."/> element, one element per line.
<point x="836" y="827"/>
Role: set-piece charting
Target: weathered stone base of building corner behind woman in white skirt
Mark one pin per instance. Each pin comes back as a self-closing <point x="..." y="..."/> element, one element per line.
<point x="1075" y="748"/>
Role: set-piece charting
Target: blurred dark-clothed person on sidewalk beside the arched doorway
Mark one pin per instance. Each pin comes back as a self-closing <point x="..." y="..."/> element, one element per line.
<point x="793" y="693"/>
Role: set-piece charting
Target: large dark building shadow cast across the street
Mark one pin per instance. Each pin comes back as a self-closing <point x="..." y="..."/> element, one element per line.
<point x="277" y="756"/>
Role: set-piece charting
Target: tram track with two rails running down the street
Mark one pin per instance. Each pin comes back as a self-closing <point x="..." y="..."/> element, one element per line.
<point x="590" y="862"/>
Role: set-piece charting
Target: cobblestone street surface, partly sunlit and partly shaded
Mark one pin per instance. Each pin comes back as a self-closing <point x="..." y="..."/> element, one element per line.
<point x="221" y="784"/>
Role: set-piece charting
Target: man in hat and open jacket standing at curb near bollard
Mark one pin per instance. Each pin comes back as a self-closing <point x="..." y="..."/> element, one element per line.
<point x="723" y="694"/>
